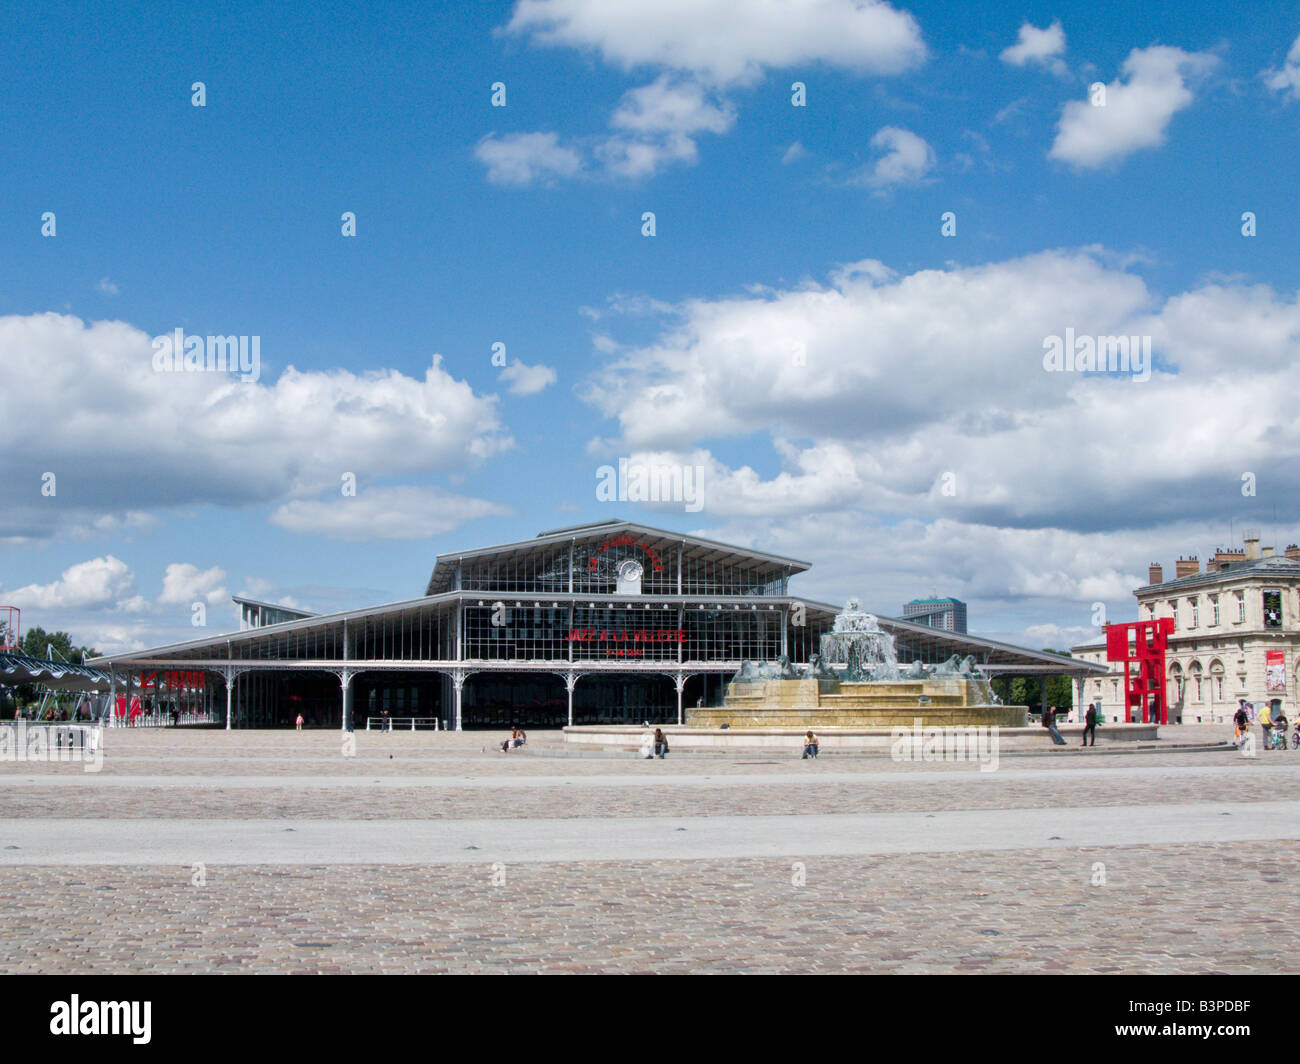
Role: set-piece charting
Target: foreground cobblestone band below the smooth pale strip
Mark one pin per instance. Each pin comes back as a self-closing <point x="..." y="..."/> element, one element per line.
<point x="1163" y="910"/>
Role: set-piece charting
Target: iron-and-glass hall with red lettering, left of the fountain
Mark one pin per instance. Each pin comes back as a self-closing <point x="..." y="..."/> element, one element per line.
<point x="606" y="624"/>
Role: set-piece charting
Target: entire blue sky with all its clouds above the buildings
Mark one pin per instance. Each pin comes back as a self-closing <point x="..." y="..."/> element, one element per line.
<point x="522" y="224"/>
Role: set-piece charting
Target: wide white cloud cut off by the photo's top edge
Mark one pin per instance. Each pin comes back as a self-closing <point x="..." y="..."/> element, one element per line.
<point x="725" y="41"/>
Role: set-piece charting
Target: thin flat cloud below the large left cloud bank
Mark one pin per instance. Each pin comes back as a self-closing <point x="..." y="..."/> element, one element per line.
<point x="404" y="513"/>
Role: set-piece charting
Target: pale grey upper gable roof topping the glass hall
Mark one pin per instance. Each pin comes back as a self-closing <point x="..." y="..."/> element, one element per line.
<point x="660" y="539"/>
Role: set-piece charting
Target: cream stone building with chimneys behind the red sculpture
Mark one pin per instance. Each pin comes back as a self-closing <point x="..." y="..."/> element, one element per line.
<point x="1237" y="635"/>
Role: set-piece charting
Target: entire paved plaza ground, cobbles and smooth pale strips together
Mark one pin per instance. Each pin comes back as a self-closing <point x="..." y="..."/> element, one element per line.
<point x="435" y="853"/>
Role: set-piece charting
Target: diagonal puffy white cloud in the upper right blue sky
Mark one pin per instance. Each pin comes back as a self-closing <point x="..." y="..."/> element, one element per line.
<point x="1138" y="110"/>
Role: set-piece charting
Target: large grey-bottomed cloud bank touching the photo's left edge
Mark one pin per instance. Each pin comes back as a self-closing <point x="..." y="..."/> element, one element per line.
<point x="177" y="439"/>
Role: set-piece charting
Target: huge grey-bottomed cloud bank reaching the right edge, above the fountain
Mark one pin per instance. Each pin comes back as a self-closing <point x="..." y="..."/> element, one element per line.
<point x="926" y="396"/>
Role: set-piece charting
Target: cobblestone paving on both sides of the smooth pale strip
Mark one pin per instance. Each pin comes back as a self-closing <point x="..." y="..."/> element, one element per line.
<point x="1162" y="909"/>
